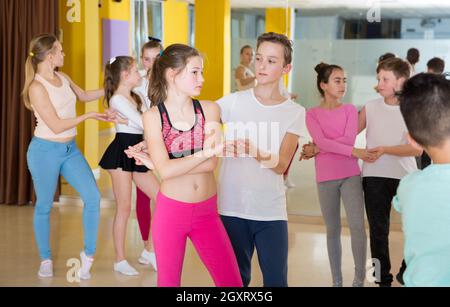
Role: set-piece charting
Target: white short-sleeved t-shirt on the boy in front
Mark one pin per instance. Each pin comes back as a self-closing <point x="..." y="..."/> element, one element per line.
<point x="246" y="189"/>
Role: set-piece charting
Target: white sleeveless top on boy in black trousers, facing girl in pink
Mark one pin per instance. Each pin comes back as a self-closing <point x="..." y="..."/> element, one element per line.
<point x="386" y="127"/>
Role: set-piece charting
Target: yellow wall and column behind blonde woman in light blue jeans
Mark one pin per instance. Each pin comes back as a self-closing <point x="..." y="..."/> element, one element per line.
<point x="82" y="42"/>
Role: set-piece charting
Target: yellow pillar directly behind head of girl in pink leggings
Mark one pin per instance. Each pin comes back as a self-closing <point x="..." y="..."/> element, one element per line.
<point x="213" y="39"/>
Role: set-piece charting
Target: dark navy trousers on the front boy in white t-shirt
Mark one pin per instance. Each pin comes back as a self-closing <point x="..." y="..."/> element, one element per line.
<point x="271" y="241"/>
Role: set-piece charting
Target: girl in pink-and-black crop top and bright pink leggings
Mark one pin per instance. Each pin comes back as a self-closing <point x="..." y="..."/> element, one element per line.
<point x="186" y="206"/>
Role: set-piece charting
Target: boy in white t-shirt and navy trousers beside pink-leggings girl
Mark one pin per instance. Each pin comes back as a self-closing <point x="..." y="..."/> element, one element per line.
<point x="262" y="133"/>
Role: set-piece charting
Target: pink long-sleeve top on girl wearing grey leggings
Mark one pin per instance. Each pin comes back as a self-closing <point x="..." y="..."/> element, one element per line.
<point x="334" y="132"/>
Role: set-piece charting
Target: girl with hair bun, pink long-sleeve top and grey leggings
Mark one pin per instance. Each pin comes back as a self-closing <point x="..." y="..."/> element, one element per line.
<point x="333" y="127"/>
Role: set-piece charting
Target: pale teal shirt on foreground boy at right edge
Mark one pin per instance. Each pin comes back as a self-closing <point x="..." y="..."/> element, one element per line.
<point x="423" y="199"/>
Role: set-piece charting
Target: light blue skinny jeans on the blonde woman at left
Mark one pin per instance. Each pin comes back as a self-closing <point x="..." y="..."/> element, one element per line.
<point x="46" y="161"/>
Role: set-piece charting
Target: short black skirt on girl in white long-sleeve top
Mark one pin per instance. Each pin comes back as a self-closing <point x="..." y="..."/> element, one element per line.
<point x="115" y="157"/>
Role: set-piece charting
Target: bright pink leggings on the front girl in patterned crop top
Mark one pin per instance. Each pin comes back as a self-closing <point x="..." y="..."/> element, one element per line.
<point x="174" y="222"/>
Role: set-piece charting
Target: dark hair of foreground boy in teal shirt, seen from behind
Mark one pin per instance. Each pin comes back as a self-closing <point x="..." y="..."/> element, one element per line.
<point x="425" y="106"/>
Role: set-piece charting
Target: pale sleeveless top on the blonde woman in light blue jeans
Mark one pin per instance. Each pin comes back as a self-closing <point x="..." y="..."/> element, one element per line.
<point x="63" y="100"/>
